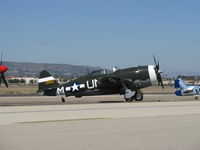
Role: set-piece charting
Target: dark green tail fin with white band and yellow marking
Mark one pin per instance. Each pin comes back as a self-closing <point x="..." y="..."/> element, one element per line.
<point x="47" y="83"/>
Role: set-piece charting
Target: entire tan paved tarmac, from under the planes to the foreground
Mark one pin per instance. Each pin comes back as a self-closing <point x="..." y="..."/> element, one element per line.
<point x="106" y="122"/>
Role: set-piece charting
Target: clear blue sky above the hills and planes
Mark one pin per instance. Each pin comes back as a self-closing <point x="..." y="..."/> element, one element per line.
<point x="102" y="32"/>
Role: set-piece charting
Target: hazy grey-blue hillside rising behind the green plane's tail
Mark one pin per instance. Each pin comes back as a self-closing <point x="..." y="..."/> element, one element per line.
<point x="22" y="69"/>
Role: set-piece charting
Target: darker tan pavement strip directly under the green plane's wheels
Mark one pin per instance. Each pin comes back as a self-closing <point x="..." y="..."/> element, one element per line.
<point x="43" y="100"/>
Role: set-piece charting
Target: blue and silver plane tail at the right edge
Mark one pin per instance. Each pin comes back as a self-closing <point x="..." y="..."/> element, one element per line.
<point x="182" y="89"/>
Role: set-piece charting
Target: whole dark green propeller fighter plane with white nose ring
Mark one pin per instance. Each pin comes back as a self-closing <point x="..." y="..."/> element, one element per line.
<point x="125" y="81"/>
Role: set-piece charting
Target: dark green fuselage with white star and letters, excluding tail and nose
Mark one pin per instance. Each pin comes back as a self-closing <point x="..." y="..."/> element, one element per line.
<point x="99" y="84"/>
